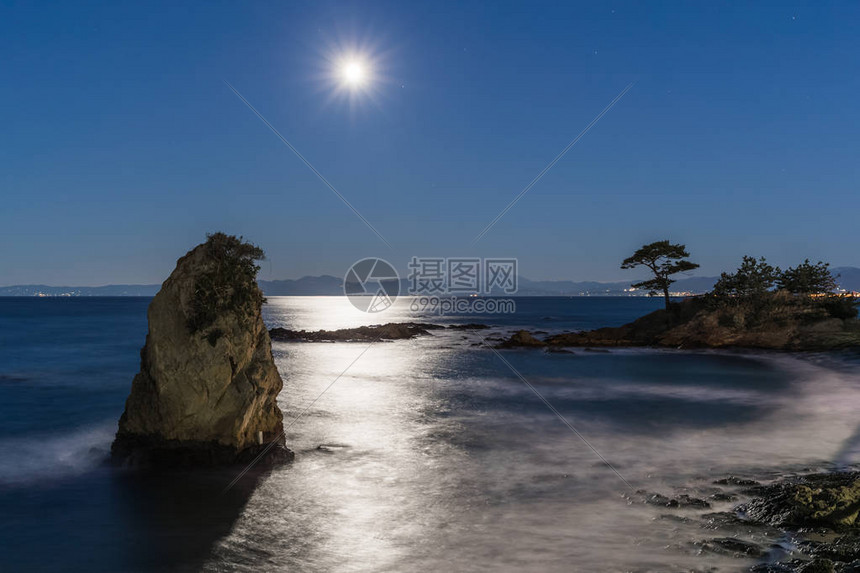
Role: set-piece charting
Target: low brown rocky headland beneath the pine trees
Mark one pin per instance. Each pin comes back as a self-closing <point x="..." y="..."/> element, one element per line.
<point x="781" y="323"/>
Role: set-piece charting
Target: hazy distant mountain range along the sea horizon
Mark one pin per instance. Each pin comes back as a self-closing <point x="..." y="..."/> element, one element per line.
<point x="327" y="285"/>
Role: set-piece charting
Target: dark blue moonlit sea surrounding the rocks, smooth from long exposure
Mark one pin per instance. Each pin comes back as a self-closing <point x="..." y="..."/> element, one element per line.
<point x="423" y="454"/>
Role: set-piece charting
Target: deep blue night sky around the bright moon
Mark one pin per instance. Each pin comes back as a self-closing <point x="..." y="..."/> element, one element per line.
<point x="122" y="146"/>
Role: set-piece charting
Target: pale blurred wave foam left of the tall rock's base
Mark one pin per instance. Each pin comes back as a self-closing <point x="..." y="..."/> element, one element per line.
<point x="53" y="456"/>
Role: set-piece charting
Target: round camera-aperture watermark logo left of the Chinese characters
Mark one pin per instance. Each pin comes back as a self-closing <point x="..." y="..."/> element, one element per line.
<point x="372" y="285"/>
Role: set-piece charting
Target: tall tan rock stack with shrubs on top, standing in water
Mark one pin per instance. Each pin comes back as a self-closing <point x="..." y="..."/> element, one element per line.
<point x="207" y="387"/>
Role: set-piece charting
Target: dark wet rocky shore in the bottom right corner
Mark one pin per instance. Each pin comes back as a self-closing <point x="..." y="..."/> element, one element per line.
<point x="799" y="524"/>
